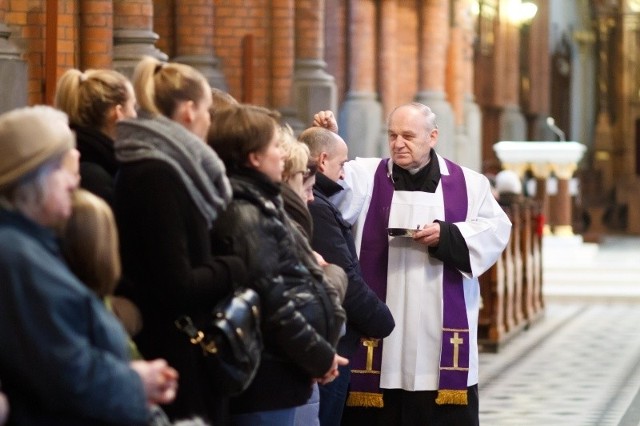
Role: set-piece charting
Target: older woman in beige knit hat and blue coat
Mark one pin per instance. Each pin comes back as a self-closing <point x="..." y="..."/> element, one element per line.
<point x="64" y="356"/>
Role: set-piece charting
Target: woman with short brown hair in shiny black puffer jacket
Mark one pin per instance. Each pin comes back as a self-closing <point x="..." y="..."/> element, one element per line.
<point x="255" y="227"/>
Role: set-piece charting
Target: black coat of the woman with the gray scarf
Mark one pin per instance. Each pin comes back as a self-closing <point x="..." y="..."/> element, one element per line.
<point x="167" y="260"/>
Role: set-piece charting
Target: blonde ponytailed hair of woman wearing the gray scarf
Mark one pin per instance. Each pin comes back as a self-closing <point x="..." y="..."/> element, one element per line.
<point x="160" y="86"/>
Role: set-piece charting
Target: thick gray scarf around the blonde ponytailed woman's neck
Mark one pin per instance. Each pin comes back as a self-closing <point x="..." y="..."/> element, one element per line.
<point x="199" y="167"/>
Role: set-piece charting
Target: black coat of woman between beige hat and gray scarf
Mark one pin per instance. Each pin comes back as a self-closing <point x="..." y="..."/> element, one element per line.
<point x="98" y="164"/>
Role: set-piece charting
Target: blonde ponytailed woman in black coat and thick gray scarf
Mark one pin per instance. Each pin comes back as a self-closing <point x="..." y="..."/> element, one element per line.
<point x="170" y="189"/>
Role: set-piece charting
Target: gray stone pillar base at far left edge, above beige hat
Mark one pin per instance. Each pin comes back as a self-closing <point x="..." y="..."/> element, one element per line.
<point x="13" y="69"/>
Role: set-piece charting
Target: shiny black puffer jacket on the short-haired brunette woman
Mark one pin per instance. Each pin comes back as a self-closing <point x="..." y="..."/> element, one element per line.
<point x="254" y="227"/>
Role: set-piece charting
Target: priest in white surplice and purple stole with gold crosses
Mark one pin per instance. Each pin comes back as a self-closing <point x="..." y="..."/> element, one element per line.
<point x="425" y="230"/>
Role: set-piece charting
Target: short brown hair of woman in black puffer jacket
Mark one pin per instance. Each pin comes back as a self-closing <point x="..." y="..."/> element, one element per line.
<point x="238" y="131"/>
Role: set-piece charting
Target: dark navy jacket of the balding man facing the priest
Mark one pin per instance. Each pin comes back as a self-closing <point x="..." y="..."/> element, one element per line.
<point x="367" y="315"/>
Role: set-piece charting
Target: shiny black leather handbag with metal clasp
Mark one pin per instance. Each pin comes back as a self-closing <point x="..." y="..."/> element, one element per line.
<point x="230" y="339"/>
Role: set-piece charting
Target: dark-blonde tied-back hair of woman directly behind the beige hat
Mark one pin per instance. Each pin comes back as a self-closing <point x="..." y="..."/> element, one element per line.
<point x="88" y="96"/>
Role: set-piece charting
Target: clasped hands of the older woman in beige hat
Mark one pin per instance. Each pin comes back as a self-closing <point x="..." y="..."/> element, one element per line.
<point x="160" y="381"/>
